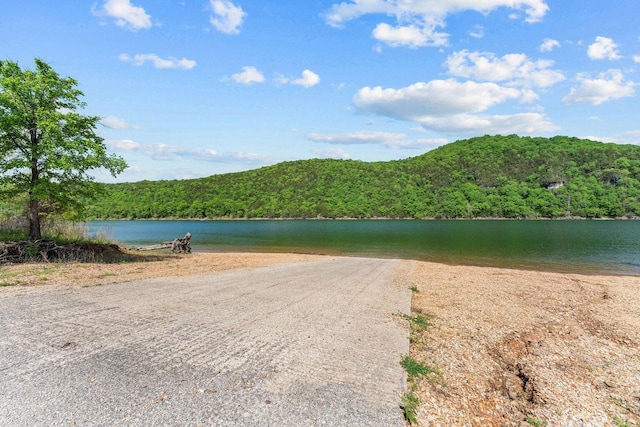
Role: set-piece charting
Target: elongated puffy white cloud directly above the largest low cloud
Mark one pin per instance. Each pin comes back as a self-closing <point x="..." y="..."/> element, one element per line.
<point x="515" y="69"/>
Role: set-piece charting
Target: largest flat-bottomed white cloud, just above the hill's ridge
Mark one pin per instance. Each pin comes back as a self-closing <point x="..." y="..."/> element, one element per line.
<point x="452" y="106"/>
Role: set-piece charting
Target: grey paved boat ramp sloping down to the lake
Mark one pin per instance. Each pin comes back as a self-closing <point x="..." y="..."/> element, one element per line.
<point x="304" y="344"/>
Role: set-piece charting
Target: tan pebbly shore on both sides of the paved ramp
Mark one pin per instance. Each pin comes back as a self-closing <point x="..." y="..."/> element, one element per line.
<point x="507" y="347"/>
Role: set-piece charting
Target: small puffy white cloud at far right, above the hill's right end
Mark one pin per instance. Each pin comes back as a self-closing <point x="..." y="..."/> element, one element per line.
<point x="607" y="86"/>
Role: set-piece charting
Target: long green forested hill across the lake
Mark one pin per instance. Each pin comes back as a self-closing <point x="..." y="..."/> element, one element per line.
<point x="489" y="176"/>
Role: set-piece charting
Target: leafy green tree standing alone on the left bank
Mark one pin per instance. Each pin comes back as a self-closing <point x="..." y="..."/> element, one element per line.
<point x="46" y="146"/>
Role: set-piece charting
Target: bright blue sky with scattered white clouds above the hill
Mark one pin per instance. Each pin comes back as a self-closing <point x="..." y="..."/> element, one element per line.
<point x="195" y="88"/>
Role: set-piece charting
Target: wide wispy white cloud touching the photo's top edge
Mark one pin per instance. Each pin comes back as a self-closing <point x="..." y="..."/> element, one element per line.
<point x="418" y="21"/>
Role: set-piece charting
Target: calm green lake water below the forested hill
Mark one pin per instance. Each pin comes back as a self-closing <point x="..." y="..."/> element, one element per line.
<point x="568" y="246"/>
